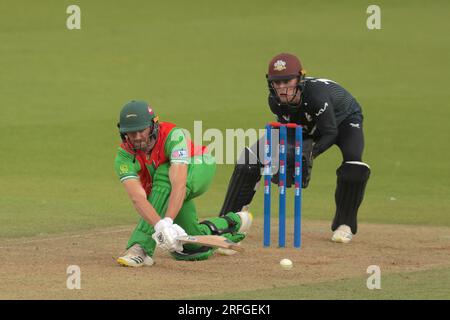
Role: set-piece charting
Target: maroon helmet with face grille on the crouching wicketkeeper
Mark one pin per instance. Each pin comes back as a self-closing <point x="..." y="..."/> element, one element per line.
<point x="285" y="66"/>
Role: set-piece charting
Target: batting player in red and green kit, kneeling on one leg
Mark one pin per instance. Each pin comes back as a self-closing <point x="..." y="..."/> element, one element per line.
<point x="163" y="172"/>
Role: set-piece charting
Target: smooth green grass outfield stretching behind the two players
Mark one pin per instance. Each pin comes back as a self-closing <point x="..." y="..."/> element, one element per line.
<point x="61" y="92"/>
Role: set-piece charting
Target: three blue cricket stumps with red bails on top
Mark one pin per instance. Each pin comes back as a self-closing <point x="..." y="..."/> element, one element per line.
<point x="282" y="183"/>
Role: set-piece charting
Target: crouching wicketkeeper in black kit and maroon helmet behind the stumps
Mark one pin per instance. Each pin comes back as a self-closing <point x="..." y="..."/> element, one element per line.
<point x="330" y="115"/>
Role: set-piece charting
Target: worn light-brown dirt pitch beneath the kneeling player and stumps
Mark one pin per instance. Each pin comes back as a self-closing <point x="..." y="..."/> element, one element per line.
<point x="35" y="268"/>
